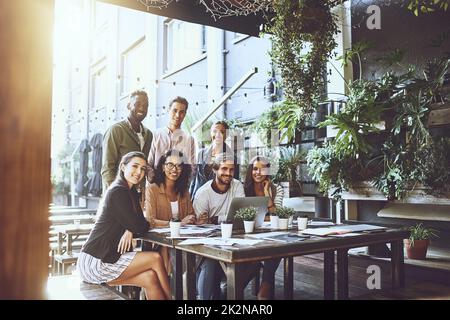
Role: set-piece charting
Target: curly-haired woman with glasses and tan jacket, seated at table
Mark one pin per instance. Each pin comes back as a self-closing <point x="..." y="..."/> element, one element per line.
<point x="167" y="198"/>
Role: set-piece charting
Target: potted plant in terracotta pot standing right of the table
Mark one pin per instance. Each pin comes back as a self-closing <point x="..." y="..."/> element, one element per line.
<point x="419" y="239"/>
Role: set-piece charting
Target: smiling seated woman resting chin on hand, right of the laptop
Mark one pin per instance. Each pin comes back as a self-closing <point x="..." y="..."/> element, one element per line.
<point x="258" y="183"/>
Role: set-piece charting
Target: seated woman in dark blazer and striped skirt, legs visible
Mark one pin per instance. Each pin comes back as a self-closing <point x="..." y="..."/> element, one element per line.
<point x="103" y="258"/>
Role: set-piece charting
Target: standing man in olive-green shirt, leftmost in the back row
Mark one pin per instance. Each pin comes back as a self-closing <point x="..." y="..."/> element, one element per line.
<point x="126" y="136"/>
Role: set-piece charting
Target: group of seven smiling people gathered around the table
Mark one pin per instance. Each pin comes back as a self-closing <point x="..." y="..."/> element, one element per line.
<point x="150" y="179"/>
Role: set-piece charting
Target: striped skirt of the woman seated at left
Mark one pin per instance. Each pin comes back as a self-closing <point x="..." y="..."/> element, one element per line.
<point x="93" y="270"/>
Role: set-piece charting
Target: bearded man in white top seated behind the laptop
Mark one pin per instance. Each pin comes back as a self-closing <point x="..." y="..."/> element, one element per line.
<point x="211" y="203"/>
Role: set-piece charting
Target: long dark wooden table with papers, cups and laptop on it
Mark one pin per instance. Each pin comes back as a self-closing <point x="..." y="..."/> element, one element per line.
<point x="236" y="259"/>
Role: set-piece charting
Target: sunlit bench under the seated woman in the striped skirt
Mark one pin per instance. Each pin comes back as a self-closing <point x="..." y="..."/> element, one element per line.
<point x="71" y="287"/>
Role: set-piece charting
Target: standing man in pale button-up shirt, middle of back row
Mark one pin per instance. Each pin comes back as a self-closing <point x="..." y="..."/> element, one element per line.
<point x="172" y="137"/>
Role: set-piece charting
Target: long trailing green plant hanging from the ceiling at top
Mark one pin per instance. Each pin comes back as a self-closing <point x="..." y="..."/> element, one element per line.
<point x="303" y="40"/>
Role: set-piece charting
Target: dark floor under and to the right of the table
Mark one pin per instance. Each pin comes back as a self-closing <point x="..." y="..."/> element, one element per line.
<point x="421" y="283"/>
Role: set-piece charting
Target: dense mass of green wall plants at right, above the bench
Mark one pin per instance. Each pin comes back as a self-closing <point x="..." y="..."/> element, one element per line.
<point x="401" y="156"/>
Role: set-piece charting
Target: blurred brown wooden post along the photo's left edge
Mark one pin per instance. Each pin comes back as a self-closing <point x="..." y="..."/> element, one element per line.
<point x="26" y="33"/>
